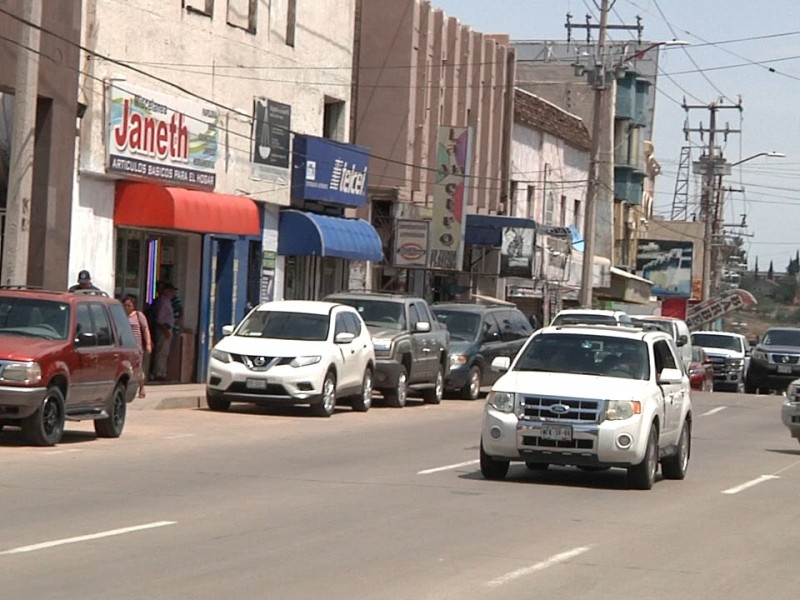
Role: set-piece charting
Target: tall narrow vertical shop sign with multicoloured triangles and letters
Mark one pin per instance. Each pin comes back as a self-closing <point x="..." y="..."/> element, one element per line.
<point x="454" y="155"/>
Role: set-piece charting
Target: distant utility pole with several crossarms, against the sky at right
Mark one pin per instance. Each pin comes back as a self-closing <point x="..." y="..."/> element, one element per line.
<point x="711" y="165"/>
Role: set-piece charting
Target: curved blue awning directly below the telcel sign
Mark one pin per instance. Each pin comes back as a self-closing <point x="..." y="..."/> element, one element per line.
<point x="309" y="234"/>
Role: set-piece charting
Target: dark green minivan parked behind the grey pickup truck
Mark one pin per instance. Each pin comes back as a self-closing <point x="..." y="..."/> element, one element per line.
<point x="478" y="334"/>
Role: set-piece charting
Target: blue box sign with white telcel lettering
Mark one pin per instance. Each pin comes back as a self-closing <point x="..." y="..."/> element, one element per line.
<point x="328" y="171"/>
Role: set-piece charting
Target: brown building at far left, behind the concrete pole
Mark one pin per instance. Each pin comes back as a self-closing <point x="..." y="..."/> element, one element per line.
<point x="54" y="148"/>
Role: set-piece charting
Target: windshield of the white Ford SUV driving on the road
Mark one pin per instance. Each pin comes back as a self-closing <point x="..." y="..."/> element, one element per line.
<point x="582" y="354"/>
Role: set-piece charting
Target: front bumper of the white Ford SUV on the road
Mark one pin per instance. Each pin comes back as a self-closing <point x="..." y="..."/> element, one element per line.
<point x="592" y="444"/>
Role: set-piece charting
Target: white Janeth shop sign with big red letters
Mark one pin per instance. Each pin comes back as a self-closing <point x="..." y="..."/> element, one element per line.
<point x="154" y="136"/>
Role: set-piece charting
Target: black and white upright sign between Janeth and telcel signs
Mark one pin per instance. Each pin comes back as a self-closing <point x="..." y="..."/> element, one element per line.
<point x="272" y="125"/>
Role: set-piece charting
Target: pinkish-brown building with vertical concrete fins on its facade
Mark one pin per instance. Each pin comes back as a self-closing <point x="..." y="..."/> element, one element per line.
<point x="434" y="105"/>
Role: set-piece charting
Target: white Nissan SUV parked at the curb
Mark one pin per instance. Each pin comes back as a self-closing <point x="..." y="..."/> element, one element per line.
<point x="294" y="352"/>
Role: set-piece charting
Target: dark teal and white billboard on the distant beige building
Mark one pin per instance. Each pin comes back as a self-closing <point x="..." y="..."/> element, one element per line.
<point x="668" y="264"/>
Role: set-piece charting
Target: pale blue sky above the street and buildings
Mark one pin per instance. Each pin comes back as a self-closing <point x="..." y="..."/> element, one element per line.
<point x="723" y="61"/>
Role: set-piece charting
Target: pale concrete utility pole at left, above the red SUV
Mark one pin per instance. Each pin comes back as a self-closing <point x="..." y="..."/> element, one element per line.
<point x="20" y="175"/>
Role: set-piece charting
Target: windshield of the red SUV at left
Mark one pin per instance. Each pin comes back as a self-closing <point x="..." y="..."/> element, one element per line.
<point x="34" y="318"/>
